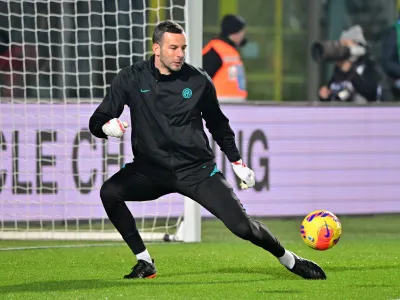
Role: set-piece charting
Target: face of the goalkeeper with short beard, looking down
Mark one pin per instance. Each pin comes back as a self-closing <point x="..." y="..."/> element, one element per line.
<point x="171" y="52"/>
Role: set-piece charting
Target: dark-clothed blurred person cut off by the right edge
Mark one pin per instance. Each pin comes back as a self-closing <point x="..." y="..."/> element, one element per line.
<point x="391" y="57"/>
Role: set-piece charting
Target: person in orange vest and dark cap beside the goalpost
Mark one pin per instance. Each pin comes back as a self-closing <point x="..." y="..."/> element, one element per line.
<point x="222" y="61"/>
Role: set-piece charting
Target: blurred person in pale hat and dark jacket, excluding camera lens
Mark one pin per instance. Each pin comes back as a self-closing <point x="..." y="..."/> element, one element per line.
<point x="357" y="78"/>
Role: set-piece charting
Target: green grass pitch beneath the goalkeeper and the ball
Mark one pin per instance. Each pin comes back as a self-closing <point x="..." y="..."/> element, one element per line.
<point x="364" y="265"/>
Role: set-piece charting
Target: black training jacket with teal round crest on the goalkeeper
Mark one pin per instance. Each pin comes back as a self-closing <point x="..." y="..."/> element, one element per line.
<point x="166" y="115"/>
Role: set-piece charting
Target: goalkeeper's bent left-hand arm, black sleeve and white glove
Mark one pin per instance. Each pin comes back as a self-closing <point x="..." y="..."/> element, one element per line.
<point x="104" y="121"/>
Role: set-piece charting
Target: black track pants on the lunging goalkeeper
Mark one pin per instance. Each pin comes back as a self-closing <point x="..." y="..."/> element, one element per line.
<point x="142" y="182"/>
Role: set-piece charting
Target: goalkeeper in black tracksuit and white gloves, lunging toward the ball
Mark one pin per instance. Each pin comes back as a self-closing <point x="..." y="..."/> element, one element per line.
<point x="168" y="99"/>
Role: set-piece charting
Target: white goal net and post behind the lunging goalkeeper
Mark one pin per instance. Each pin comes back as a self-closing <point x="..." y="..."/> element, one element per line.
<point x="57" y="59"/>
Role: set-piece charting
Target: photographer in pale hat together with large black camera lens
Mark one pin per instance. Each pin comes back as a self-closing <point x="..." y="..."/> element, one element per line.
<point x="355" y="77"/>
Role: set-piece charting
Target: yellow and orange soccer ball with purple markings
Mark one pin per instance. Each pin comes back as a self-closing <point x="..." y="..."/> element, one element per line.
<point x="321" y="230"/>
